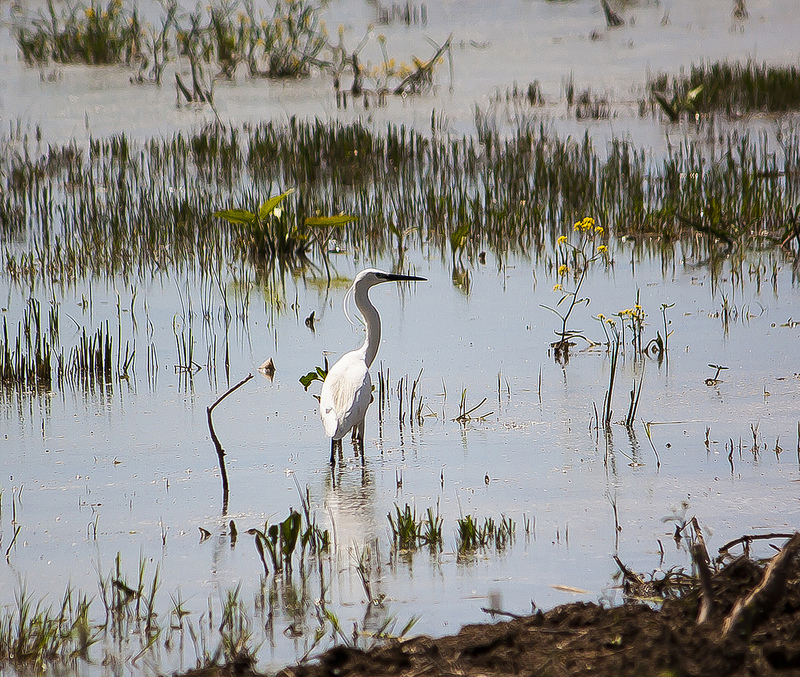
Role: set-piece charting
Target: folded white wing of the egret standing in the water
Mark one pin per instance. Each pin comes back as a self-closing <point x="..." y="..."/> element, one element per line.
<point x="345" y="396"/>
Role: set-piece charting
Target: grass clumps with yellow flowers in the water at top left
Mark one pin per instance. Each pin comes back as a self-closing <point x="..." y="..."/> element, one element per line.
<point x="289" y="40"/>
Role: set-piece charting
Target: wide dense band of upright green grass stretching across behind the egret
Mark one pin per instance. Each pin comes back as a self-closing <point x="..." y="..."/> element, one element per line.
<point x="156" y="206"/>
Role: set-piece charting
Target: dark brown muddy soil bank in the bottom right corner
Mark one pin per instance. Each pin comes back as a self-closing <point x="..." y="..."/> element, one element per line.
<point x="752" y="627"/>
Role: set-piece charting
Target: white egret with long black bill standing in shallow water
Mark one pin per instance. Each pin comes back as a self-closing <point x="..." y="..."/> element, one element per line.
<point x="347" y="389"/>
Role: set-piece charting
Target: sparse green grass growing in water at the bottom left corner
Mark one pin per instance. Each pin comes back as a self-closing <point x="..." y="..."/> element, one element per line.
<point x="40" y="637"/>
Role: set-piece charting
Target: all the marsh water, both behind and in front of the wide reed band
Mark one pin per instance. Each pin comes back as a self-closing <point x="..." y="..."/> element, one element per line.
<point x="128" y="469"/>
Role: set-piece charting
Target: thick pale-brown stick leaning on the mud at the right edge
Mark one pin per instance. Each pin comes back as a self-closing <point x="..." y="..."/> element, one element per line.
<point x="749" y="611"/>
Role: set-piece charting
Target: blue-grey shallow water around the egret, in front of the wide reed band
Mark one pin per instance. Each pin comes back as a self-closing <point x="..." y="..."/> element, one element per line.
<point x="137" y="463"/>
